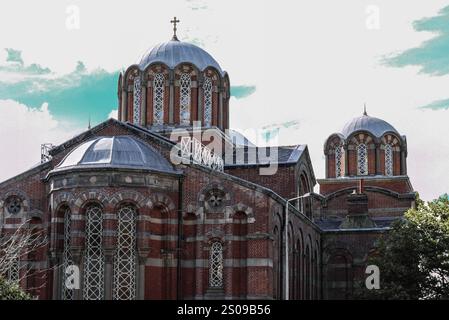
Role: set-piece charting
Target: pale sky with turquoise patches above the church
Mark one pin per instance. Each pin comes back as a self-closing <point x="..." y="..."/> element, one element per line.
<point x="299" y="70"/>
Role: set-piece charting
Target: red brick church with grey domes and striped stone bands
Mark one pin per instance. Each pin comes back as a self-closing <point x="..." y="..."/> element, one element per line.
<point x="168" y="203"/>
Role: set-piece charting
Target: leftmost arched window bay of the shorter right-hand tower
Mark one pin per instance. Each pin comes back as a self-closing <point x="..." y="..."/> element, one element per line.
<point x="335" y="152"/>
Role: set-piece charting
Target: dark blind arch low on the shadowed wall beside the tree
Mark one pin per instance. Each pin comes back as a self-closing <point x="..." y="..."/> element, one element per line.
<point x="337" y="271"/>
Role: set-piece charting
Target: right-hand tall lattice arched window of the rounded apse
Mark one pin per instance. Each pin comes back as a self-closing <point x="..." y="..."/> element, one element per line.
<point x="125" y="256"/>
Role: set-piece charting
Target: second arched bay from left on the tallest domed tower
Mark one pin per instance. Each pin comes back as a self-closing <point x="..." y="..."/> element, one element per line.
<point x="157" y="79"/>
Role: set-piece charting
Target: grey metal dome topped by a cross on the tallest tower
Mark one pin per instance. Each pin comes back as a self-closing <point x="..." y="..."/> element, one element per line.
<point x="175" y="52"/>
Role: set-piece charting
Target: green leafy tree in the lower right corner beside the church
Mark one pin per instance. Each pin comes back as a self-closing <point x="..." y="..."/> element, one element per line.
<point x="413" y="257"/>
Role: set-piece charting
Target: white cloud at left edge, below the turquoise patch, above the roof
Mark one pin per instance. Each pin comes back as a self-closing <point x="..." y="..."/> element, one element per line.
<point x="23" y="130"/>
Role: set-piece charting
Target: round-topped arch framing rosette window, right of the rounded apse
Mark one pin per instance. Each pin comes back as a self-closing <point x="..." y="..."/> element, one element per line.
<point x="213" y="198"/>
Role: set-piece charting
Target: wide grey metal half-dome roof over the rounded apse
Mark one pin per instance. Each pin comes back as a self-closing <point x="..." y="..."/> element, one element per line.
<point x="118" y="151"/>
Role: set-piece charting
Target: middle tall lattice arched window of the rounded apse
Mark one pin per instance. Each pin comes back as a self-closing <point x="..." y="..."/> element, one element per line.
<point x="93" y="288"/>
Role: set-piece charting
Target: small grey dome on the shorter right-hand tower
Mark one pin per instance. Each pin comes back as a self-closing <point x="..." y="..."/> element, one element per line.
<point x="375" y="126"/>
